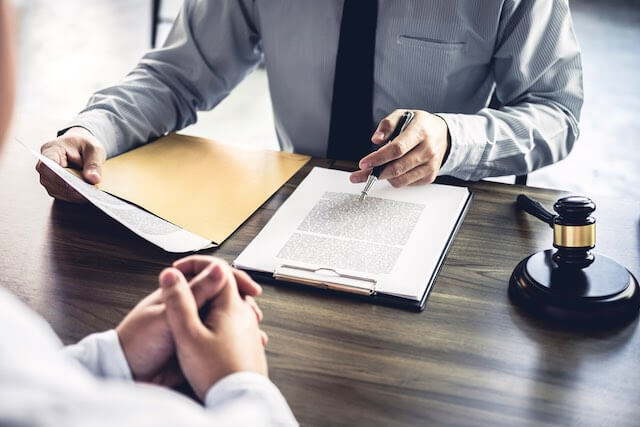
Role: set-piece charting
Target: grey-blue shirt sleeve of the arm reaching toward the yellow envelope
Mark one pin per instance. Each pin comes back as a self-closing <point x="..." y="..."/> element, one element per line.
<point x="199" y="65"/>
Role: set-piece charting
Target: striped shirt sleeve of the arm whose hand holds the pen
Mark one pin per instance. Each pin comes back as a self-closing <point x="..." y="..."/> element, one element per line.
<point x="538" y="77"/>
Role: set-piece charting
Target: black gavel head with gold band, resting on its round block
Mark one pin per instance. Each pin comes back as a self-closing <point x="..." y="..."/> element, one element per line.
<point x="574" y="231"/>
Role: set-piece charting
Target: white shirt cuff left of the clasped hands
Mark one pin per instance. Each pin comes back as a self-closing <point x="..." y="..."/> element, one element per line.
<point x="102" y="355"/>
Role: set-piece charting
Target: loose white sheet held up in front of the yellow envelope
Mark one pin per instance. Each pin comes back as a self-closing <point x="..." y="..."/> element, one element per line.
<point x="146" y="225"/>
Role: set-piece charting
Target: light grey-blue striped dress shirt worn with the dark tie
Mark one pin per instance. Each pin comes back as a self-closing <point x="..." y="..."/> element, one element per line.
<point x="447" y="57"/>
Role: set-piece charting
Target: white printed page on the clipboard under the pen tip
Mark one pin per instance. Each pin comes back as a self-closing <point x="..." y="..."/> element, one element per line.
<point x="393" y="239"/>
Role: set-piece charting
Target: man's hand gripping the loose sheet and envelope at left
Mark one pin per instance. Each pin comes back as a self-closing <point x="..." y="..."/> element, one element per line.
<point x="76" y="147"/>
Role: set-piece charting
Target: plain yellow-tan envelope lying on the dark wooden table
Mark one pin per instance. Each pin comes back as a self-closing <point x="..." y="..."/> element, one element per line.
<point x="203" y="186"/>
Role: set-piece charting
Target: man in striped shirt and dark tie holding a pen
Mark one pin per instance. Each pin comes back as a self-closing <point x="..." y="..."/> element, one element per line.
<point x="496" y="85"/>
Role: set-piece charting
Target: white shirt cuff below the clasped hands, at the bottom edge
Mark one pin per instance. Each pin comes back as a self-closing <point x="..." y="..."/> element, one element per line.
<point x="254" y="390"/>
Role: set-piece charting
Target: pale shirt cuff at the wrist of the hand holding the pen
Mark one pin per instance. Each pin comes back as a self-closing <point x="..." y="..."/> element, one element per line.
<point x="468" y="142"/>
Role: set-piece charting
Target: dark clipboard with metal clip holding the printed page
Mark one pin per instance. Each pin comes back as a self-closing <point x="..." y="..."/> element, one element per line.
<point x="326" y="280"/>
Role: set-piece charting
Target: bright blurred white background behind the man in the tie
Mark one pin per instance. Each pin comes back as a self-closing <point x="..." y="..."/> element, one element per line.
<point x="71" y="48"/>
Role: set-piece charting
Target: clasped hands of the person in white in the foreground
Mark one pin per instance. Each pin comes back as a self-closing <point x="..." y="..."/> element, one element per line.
<point x="201" y="325"/>
